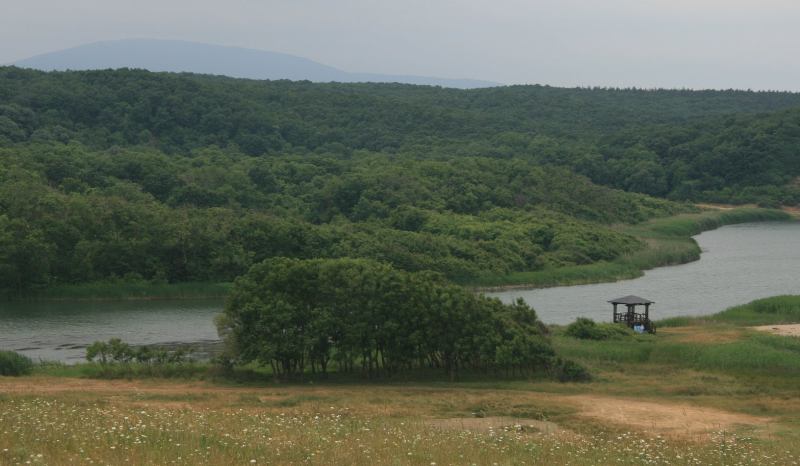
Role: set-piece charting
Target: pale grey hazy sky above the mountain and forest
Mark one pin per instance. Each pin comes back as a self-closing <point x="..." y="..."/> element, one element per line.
<point x="646" y="43"/>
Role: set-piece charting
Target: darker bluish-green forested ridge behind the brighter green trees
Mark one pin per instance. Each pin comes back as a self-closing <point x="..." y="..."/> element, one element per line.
<point x="734" y="146"/>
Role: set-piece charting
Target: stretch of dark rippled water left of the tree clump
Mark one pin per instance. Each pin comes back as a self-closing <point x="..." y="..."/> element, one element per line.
<point x="60" y="331"/>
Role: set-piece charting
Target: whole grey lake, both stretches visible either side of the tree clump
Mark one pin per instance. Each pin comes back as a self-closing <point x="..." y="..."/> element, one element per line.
<point x="739" y="263"/>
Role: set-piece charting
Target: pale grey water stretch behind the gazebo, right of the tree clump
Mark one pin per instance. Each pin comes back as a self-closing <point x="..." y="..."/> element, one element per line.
<point x="739" y="263"/>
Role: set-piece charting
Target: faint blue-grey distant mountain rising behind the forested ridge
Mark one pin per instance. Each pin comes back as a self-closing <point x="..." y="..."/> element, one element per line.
<point x="237" y="62"/>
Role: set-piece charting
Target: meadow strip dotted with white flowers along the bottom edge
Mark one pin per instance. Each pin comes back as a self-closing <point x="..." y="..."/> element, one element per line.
<point x="68" y="430"/>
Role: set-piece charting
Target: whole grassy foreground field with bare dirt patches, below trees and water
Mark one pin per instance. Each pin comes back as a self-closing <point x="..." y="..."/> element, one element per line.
<point x="701" y="391"/>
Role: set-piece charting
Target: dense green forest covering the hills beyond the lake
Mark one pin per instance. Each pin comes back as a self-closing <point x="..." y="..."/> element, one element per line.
<point x="129" y="174"/>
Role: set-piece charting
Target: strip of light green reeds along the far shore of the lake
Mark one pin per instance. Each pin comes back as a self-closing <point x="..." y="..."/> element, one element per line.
<point x="668" y="241"/>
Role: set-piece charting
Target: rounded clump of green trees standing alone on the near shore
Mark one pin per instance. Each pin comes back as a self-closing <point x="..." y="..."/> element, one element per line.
<point x="356" y="315"/>
